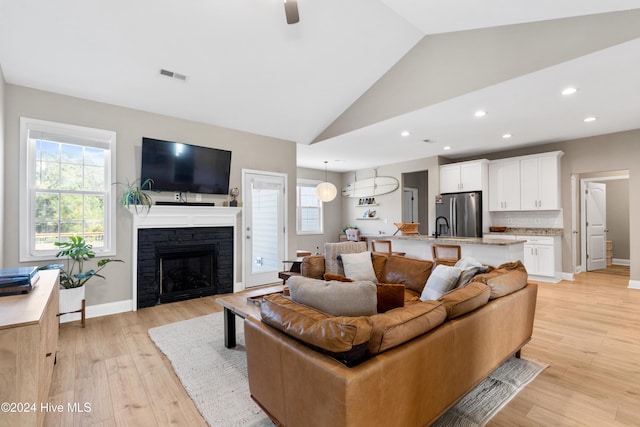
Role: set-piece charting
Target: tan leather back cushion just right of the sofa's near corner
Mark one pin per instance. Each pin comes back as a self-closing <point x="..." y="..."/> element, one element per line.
<point x="400" y="325"/>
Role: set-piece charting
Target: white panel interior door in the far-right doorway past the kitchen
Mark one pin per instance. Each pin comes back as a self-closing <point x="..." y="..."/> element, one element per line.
<point x="596" y="215"/>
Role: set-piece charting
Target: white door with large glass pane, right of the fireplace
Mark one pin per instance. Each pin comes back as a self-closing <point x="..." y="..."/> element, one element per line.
<point x="264" y="227"/>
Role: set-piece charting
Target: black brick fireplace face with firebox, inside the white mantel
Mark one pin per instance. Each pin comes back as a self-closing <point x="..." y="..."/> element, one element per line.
<point x="175" y="264"/>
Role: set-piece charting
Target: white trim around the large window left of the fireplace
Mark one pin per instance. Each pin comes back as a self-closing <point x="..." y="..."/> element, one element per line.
<point x="87" y="136"/>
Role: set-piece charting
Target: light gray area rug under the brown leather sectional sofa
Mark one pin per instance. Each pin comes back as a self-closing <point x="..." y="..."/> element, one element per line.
<point x="216" y="377"/>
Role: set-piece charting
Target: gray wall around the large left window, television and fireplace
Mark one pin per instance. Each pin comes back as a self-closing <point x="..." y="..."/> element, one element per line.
<point x="250" y="151"/>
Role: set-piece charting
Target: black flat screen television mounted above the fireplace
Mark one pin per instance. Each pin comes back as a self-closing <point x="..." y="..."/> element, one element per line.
<point x="174" y="166"/>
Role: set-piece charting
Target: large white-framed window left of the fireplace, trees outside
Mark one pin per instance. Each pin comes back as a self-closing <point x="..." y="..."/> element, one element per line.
<point x="65" y="187"/>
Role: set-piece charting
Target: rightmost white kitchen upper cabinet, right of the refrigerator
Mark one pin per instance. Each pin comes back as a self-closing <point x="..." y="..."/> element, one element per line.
<point x="540" y="182"/>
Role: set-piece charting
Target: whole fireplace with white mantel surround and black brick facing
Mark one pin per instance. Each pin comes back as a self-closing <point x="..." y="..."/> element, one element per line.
<point x="206" y="234"/>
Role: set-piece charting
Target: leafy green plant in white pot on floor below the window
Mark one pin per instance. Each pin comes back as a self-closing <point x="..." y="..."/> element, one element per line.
<point x="73" y="277"/>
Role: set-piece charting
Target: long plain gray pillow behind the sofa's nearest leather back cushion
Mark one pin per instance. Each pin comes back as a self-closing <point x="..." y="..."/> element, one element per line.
<point x="334" y="297"/>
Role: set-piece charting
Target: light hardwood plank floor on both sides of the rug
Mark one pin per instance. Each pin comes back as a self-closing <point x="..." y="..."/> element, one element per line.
<point x="587" y="330"/>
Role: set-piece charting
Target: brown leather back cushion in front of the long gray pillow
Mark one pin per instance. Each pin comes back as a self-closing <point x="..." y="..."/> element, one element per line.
<point x="344" y="338"/>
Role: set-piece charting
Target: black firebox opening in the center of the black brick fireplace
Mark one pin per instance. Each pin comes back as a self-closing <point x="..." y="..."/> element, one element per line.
<point x="186" y="272"/>
